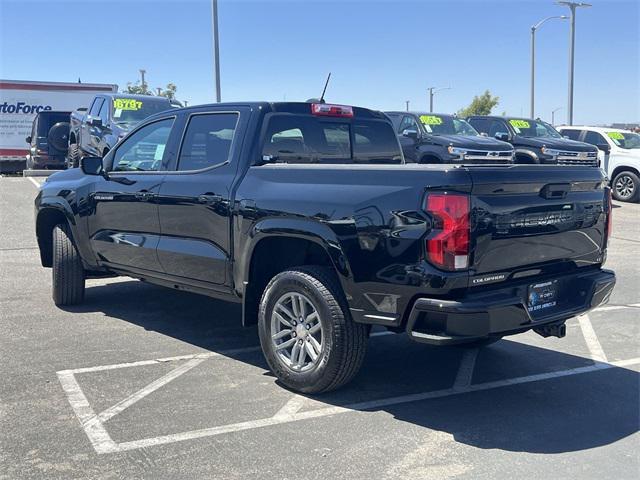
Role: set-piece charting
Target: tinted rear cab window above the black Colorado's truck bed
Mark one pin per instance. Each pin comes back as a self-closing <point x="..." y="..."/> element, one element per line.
<point x="307" y="138"/>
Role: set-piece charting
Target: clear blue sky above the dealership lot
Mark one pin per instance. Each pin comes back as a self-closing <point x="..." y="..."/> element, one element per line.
<point x="380" y="53"/>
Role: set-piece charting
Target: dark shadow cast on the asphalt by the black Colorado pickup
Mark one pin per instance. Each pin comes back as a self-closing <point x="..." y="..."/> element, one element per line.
<point x="565" y="414"/>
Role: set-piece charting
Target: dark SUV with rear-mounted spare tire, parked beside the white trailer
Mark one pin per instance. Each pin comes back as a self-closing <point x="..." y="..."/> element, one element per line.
<point x="49" y="140"/>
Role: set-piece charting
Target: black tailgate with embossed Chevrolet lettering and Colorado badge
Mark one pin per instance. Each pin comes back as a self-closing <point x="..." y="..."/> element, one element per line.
<point x="527" y="218"/>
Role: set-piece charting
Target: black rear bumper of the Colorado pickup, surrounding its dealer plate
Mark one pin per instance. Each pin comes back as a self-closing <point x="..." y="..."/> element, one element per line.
<point x="504" y="311"/>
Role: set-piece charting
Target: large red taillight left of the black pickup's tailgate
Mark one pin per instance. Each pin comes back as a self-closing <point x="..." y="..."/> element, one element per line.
<point x="448" y="243"/>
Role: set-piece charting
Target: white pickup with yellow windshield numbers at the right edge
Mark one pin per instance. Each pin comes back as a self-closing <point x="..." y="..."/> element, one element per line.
<point x="619" y="156"/>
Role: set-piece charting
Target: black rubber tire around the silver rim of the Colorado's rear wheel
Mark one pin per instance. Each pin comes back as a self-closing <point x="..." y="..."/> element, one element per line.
<point x="344" y="342"/>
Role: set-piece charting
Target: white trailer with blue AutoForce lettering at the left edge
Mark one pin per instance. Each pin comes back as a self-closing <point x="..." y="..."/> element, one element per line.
<point x="20" y="101"/>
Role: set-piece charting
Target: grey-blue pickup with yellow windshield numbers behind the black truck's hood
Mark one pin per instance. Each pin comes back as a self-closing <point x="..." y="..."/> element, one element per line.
<point x="96" y="130"/>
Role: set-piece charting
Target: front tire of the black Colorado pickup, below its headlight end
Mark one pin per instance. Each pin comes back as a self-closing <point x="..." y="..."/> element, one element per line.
<point x="68" y="273"/>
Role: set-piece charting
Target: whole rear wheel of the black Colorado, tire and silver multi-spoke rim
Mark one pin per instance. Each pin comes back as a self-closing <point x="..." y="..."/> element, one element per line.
<point x="306" y="332"/>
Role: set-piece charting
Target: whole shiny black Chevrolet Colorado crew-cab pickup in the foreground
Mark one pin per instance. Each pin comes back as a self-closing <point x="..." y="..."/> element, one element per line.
<point x="307" y="215"/>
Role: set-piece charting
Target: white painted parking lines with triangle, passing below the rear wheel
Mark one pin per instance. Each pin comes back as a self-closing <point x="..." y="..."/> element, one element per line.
<point x="102" y="443"/>
